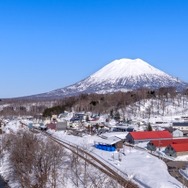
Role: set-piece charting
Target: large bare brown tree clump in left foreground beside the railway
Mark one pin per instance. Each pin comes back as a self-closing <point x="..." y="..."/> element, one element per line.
<point x="34" y="161"/>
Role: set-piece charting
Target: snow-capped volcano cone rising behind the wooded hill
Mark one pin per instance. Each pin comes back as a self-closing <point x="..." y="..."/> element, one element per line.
<point x="120" y="75"/>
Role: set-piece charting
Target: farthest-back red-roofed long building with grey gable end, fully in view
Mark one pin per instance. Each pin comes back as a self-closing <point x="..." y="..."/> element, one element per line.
<point x="146" y="136"/>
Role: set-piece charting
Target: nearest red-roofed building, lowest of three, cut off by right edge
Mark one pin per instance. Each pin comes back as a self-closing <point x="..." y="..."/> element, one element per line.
<point x="175" y="150"/>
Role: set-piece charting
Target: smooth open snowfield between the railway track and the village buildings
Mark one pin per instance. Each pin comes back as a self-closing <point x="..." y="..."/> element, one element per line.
<point x="138" y="165"/>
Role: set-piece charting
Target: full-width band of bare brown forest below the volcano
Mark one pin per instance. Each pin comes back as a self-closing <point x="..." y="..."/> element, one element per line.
<point x="96" y="103"/>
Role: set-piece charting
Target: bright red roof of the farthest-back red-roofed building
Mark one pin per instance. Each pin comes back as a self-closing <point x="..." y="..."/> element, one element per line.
<point x="150" y="135"/>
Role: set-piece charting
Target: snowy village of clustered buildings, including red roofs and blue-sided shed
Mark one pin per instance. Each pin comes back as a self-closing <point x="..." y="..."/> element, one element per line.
<point x="168" y="137"/>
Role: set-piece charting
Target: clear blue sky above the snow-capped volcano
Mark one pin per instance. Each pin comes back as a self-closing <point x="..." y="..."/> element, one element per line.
<point x="50" y="44"/>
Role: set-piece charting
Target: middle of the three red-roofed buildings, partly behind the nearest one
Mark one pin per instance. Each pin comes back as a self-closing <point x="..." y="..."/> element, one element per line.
<point x="154" y="144"/>
